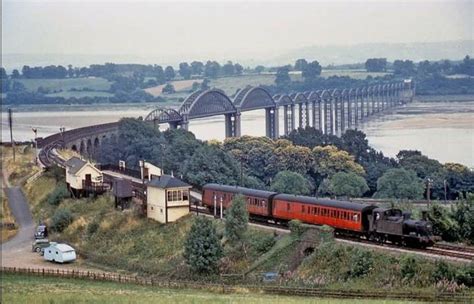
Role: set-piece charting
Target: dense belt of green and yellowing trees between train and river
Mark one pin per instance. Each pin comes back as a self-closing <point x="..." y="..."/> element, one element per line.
<point x="306" y="162"/>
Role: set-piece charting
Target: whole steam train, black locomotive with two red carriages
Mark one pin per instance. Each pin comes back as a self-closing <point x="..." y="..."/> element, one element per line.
<point x="382" y="225"/>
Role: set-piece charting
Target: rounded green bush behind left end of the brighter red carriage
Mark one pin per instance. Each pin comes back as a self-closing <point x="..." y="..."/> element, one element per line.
<point x="290" y="183"/>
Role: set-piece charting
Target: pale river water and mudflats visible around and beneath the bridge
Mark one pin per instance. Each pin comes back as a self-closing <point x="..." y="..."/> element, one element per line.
<point x="440" y="130"/>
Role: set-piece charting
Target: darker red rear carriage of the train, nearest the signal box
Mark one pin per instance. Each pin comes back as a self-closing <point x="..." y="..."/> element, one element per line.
<point x="258" y="201"/>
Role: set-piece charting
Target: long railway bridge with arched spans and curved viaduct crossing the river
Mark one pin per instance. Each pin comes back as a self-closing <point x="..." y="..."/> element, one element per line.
<point x="331" y="111"/>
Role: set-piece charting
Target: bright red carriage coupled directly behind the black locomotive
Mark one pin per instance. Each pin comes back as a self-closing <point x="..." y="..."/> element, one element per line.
<point x="337" y="214"/>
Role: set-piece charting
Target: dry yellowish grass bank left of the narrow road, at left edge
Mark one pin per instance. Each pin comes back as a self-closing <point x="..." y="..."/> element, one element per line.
<point x="17" y="172"/>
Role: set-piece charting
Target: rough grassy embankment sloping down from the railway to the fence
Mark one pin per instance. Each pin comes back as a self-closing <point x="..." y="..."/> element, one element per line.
<point x="124" y="241"/>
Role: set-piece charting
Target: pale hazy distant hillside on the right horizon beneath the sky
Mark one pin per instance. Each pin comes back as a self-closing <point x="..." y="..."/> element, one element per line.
<point x="340" y="54"/>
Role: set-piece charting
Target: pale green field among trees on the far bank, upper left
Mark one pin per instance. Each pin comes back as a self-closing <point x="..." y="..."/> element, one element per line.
<point x="93" y="83"/>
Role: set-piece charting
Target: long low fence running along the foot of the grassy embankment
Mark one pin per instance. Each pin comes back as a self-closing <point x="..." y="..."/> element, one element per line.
<point x="459" y="297"/>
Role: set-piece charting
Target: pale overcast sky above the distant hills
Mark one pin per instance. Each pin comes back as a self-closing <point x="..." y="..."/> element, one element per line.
<point x="198" y="29"/>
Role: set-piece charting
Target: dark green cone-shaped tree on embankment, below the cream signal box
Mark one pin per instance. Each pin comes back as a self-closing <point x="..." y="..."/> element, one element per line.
<point x="202" y="248"/>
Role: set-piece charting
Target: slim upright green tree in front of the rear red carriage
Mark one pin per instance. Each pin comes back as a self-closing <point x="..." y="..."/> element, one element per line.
<point x="236" y="220"/>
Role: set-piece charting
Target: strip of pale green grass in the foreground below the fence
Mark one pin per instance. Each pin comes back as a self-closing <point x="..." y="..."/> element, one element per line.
<point x="24" y="289"/>
